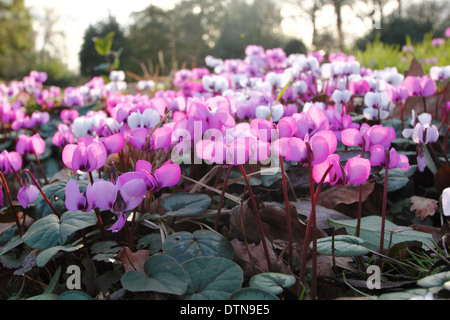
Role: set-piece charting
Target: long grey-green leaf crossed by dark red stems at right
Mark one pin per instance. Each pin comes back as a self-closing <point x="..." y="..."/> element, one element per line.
<point x="370" y="232"/>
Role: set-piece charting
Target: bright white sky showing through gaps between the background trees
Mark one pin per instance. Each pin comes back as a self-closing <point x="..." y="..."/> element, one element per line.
<point x="74" y="17"/>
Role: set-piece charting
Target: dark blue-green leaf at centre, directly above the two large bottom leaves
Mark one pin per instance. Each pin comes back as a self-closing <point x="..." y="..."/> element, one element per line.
<point x="185" y="245"/>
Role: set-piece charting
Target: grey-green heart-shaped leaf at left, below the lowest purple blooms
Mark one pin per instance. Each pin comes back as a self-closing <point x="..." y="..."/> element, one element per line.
<point x="51" y="231"/>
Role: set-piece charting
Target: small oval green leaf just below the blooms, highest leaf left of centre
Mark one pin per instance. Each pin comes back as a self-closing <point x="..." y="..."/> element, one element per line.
<point x="185" y="204"/>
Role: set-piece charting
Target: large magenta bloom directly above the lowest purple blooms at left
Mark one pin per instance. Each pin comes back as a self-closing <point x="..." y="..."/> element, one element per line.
<point x="87" y="155"/>
